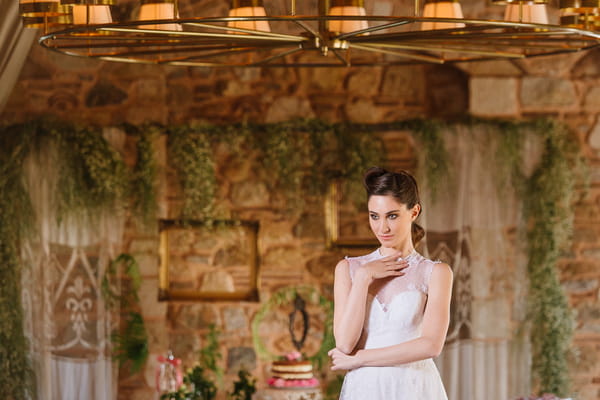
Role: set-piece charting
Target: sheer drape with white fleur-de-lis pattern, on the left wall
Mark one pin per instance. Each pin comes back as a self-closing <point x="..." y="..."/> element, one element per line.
<point x="66" y="319"/>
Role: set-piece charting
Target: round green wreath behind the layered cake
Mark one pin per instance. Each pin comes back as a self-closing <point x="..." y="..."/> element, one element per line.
<point x="286" y="296"/>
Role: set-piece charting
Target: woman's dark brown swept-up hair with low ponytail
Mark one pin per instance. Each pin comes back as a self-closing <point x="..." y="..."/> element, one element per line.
<point x="400" y="185"/>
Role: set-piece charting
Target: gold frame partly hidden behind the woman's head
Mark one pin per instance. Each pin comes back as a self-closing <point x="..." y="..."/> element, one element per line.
<point x="346" y="220"/>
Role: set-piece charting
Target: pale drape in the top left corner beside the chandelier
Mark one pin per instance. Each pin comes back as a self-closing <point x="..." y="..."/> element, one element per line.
<point x="15" y="42"/>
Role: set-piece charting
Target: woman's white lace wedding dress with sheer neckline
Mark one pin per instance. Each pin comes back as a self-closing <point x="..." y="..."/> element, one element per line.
<point x="394" y="315"/>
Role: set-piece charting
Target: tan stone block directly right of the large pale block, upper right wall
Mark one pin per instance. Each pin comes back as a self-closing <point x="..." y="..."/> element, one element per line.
<point x="540" y="93"/>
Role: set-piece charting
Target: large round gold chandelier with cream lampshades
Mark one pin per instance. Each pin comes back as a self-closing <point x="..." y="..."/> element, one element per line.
<point x="338" y="33"/>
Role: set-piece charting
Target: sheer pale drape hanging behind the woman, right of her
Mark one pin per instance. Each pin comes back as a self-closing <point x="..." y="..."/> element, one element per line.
<point x="472" y="227"/>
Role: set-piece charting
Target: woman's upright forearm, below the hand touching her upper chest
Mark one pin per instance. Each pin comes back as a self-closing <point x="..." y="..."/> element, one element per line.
<point x="348" y="329"/>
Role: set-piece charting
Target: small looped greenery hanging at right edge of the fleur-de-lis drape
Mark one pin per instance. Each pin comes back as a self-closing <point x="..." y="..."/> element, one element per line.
<point x="131" y="340"/>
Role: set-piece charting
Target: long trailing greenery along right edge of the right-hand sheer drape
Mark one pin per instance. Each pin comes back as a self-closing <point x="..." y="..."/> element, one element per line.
<point x="547" y="207"/>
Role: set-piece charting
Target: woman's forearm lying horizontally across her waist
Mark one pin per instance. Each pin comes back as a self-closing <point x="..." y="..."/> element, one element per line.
<point x="413" y="350"/>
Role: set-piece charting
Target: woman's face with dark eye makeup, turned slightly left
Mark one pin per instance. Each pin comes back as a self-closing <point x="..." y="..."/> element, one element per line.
<point x="391" y="220"/>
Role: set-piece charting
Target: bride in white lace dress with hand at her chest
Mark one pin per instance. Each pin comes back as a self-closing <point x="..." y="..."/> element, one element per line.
<point x="392" y="306"/>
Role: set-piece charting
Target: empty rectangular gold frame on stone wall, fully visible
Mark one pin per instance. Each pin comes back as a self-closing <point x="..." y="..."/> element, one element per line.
<point x="208" y="260"/>
